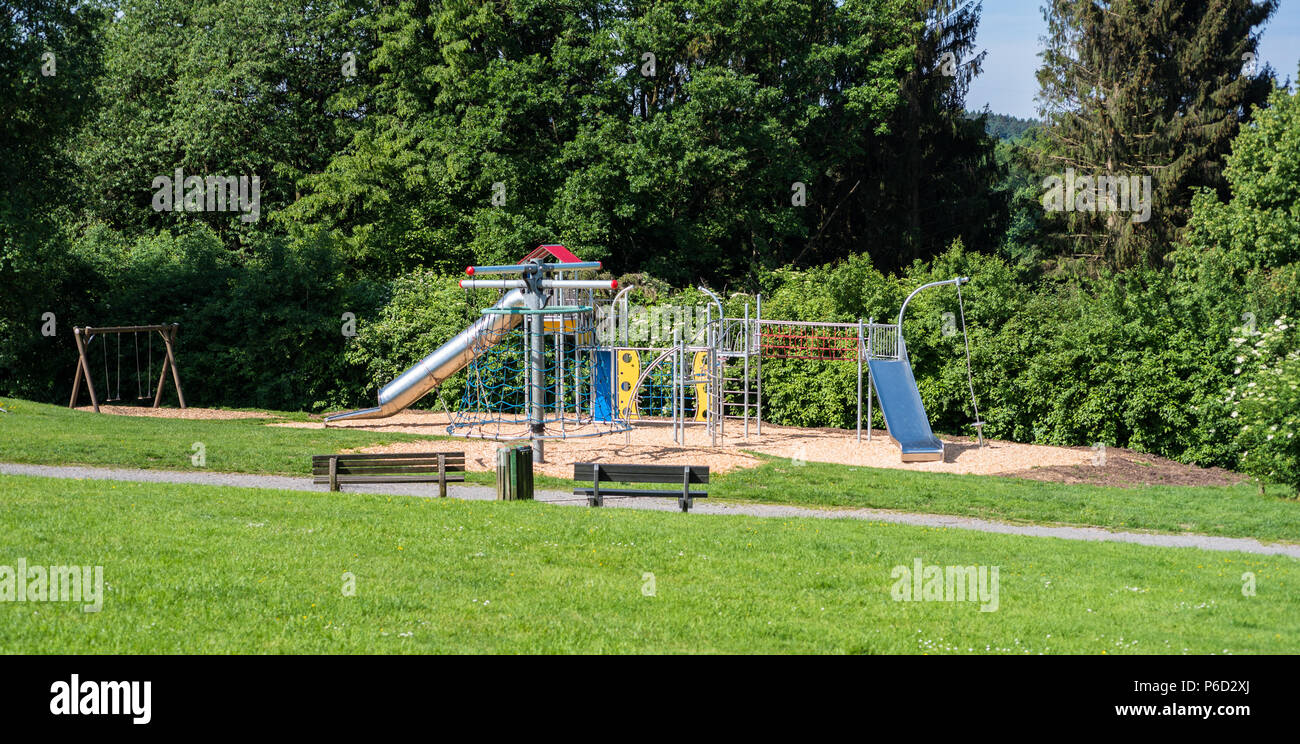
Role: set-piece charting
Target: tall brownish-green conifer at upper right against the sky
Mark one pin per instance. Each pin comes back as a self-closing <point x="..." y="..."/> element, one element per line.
<point x="1138" y="89"/>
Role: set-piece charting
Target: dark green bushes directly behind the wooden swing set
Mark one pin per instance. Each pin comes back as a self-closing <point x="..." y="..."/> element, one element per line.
<point x="257" y="330"/>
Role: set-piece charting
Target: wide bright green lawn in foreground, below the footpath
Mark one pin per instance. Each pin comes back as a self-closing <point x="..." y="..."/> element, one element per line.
<point x="226" y="570"/>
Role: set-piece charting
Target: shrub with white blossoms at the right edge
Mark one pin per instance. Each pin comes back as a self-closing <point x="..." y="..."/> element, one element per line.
<point x="1267" y="403"/>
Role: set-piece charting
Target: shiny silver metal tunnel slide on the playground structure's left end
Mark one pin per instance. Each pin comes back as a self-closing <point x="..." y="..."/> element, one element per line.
<point x="445" y="362"/>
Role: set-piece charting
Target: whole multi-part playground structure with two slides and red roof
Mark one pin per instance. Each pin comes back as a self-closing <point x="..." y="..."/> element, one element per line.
<point x="554" y="358"/>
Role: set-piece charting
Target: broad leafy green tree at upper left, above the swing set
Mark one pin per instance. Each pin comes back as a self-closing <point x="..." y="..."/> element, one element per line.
<point x="222" y="89"/>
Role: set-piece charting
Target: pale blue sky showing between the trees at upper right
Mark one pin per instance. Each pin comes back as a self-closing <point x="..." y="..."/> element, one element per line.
<point x="1009" y="32"/>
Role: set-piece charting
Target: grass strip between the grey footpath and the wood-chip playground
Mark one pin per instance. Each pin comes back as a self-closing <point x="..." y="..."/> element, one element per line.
<point x="51" y="435"/>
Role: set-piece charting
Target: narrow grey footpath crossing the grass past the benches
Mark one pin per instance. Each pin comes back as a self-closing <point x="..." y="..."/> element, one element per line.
<point x="483" y="494"/>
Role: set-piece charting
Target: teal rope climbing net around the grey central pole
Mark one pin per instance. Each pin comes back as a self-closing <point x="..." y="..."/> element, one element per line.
<point x="534" y="375"/>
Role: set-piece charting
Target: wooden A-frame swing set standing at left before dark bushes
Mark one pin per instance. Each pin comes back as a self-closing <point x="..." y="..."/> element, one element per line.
<point x="145" y="388"/>
